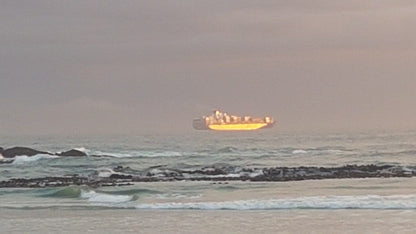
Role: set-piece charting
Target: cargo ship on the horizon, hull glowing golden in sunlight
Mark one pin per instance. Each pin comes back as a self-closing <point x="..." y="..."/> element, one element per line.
<point x="221" y="121"/>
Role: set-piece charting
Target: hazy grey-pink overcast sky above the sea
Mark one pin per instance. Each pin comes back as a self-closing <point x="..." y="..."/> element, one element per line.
<point x="131" y="67"/>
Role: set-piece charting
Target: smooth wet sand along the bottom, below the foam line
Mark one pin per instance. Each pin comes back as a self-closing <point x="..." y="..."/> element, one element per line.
<point x="193" y="221"/>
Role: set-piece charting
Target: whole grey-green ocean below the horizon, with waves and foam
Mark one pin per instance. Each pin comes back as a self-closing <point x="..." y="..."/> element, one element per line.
<point x="215" y="182"/>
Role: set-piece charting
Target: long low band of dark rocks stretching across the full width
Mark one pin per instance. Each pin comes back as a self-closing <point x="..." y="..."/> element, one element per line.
<point x="125" y="175"/>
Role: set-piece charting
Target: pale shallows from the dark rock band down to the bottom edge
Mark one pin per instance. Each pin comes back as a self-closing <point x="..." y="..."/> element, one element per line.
<point x="335" y="206"/>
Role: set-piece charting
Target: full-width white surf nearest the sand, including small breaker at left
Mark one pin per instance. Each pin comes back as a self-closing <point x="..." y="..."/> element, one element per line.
<point x="111" y="201"/>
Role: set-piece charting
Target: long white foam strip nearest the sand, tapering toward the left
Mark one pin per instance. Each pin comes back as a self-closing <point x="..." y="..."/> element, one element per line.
<point x="325" y="202"/>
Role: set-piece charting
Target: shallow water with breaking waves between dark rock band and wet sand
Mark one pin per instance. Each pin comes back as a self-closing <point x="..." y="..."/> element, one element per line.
<point x="392" y="193"/>
